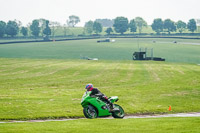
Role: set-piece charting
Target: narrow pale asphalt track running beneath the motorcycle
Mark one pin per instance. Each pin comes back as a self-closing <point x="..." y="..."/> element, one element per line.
<point x="194" y="114"/>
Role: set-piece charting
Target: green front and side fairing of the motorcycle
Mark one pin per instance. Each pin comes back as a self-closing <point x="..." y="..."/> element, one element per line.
<point x="96" y="102"/>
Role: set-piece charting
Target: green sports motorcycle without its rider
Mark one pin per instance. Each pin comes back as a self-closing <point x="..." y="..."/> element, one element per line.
<point x="94" y="107"/>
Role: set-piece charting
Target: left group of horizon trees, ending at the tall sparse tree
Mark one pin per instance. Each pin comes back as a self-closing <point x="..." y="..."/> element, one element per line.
<point x="37" y="27"/>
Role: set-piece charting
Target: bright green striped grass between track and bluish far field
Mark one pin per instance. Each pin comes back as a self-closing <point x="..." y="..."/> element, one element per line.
<point x="49" y="88"/>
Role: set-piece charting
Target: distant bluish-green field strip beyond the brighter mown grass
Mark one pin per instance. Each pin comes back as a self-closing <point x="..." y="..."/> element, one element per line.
<point x="122" y="49"/>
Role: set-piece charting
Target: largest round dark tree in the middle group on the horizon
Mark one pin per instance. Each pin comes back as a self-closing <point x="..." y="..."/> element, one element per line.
<point x="121" y="25"/>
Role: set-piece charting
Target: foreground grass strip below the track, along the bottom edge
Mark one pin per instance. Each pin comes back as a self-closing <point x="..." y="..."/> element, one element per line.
<point x="149" y="125"/>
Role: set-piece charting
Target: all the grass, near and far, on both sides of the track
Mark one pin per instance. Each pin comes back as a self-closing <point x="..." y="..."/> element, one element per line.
<point x="47" y="80"/>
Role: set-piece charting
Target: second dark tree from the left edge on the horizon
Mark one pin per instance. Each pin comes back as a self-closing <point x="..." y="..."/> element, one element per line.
<point x="12" y="28"/>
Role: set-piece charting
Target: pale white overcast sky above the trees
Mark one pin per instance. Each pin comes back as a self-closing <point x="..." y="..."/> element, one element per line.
<point x="60" y="10"/>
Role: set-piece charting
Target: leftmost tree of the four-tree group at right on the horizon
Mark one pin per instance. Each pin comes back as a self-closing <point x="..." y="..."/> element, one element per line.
<point x="157" y="25"/>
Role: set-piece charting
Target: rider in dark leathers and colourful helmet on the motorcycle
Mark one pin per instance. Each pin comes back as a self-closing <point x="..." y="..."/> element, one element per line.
<point x="97" y="93"/>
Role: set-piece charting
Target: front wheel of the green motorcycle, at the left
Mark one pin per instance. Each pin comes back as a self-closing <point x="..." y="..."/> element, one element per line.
<point x="90" y="112"/>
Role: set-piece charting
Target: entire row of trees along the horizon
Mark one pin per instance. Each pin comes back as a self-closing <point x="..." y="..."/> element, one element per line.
<point x="119" y="25"/>
